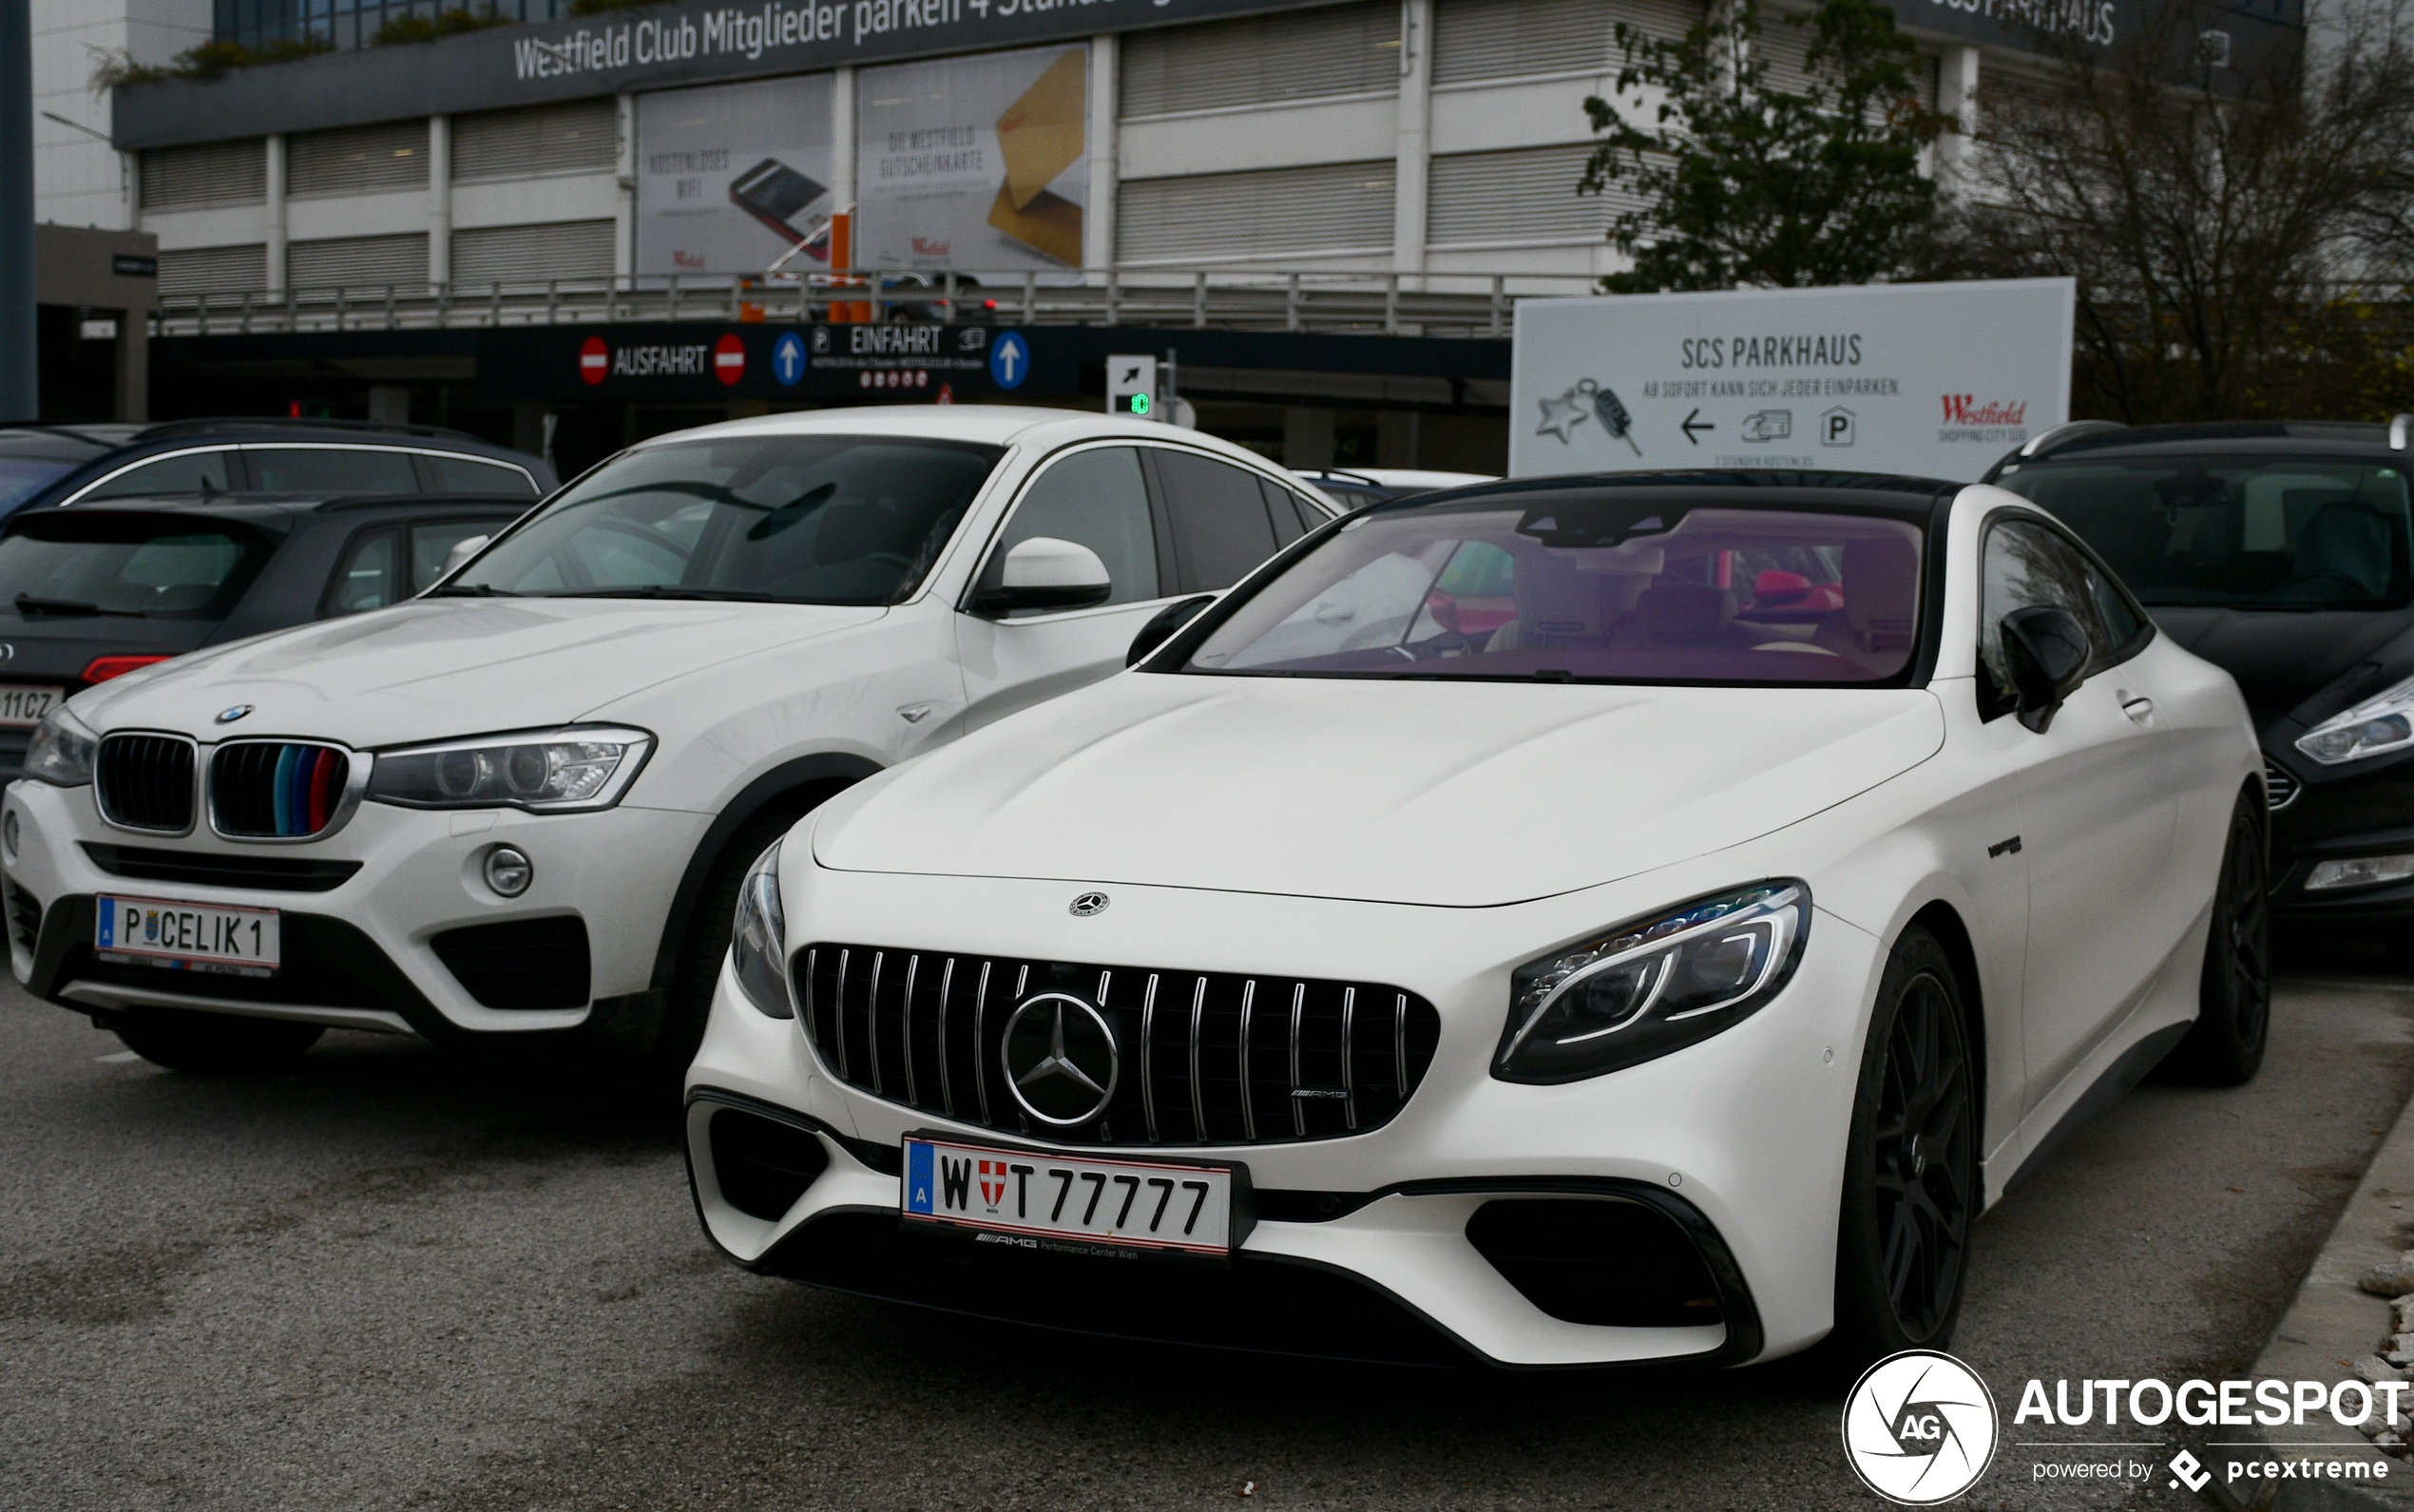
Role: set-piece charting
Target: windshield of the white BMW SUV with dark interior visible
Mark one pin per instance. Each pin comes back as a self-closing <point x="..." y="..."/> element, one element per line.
<point x="774" y="518"/>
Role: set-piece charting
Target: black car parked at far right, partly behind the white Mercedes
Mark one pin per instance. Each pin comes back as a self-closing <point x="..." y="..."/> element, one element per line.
<point x="2282" y="554"/>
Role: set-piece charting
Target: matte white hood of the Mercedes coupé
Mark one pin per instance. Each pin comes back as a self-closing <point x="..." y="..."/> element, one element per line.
<point x="1382" y="791"/>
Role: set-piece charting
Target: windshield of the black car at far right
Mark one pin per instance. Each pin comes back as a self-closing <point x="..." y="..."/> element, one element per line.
<point x="2239" y="533"/>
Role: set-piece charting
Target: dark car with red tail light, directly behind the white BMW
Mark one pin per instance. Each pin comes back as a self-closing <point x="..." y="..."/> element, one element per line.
<point x="100" y="591"/>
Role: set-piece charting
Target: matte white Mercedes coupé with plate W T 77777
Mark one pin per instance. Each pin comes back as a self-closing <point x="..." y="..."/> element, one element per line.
<point x="1563" y="921"/>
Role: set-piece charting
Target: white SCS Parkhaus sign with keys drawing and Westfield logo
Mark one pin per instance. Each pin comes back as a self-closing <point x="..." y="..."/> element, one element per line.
<point x="1932" y="380"/>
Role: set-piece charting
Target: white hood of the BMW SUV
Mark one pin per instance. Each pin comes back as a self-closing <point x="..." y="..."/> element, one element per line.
<point x="448" y="668"/>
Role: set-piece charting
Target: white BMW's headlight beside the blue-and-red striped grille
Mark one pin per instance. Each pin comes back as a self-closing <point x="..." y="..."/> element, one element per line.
<point x="547" y="774"/>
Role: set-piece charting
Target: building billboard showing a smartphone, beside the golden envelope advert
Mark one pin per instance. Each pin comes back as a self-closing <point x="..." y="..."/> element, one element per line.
<point x="730" y="178"/>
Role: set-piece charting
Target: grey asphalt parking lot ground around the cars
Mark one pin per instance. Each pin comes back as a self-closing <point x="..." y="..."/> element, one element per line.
<point x="400" y="1279"/>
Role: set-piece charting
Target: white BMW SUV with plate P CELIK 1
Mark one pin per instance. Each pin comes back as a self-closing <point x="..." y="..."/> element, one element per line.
<point x="525" y="803"/>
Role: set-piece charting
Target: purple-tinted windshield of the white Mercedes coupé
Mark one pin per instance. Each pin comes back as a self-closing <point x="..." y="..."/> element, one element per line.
<point x="1590" y="586"/>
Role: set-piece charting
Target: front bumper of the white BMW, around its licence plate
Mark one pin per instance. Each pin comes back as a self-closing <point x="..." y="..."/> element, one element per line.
<point x="387" y="921"/>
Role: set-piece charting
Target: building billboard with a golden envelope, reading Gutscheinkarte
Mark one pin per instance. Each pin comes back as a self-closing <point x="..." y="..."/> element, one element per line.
<point x="974" y="163"/>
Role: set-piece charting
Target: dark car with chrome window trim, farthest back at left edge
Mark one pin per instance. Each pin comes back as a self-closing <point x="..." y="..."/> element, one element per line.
<point x="78" y="465"/>
